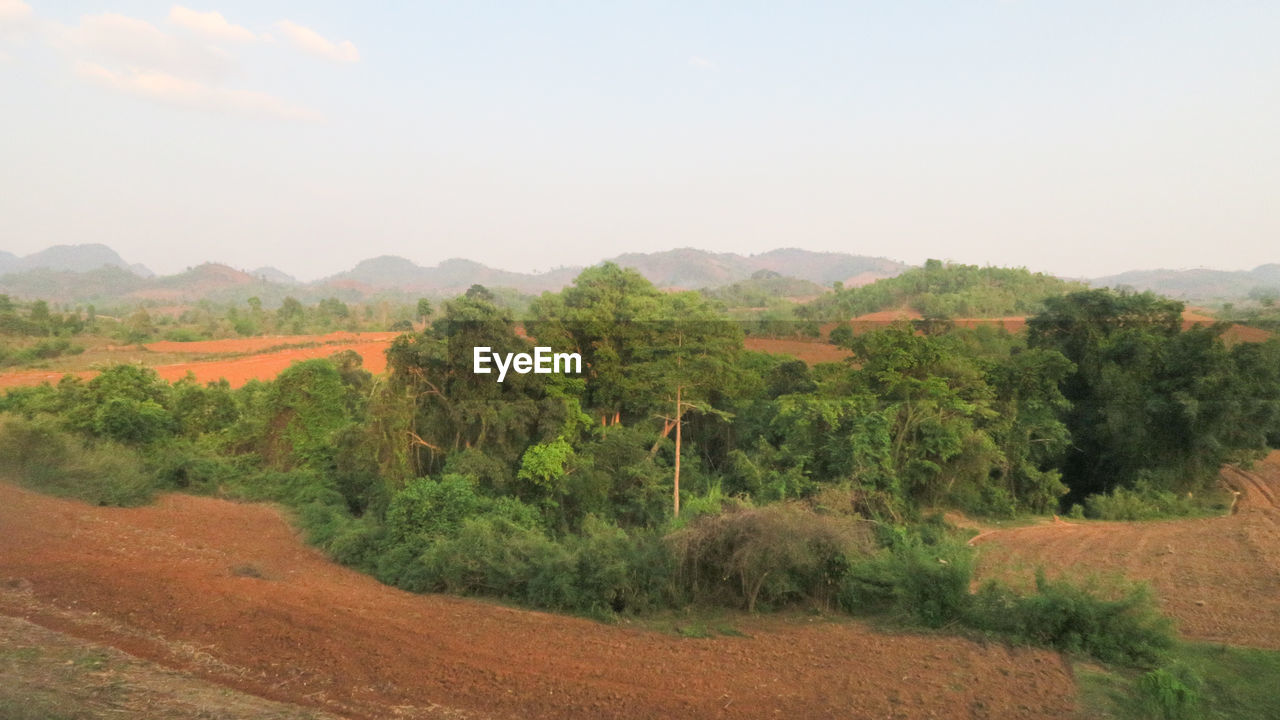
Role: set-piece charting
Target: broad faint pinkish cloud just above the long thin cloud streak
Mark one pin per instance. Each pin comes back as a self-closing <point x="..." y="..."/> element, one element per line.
<point x="111" y="39"/>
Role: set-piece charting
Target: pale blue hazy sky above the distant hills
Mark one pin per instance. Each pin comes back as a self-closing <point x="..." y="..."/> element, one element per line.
<point x="1081" y="139"/>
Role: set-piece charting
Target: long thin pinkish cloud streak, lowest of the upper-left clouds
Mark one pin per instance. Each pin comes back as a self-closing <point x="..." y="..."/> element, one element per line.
<point x="185" y="93"/>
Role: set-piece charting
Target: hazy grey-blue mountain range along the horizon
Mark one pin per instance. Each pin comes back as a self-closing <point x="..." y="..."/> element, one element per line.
<point x="97" y="274"/>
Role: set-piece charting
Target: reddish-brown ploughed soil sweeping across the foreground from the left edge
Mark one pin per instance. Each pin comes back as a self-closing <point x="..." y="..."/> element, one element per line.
<point x="175" y="584"/>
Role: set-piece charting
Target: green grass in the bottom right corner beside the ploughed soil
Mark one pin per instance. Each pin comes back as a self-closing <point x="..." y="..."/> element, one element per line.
<point x="1232" y="683"/>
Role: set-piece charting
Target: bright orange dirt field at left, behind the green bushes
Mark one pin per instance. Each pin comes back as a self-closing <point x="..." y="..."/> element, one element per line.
<point x="237" y="361"/>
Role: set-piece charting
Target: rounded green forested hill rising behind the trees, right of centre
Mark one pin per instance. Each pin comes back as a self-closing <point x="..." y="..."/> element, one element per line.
<point x="941" y="290"/>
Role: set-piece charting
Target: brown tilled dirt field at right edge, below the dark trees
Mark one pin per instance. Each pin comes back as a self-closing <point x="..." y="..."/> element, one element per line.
<point x="1218" y="577"/>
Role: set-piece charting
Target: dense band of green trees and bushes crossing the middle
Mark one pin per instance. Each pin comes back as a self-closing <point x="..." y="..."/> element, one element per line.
<point x="682" y="468"/>
